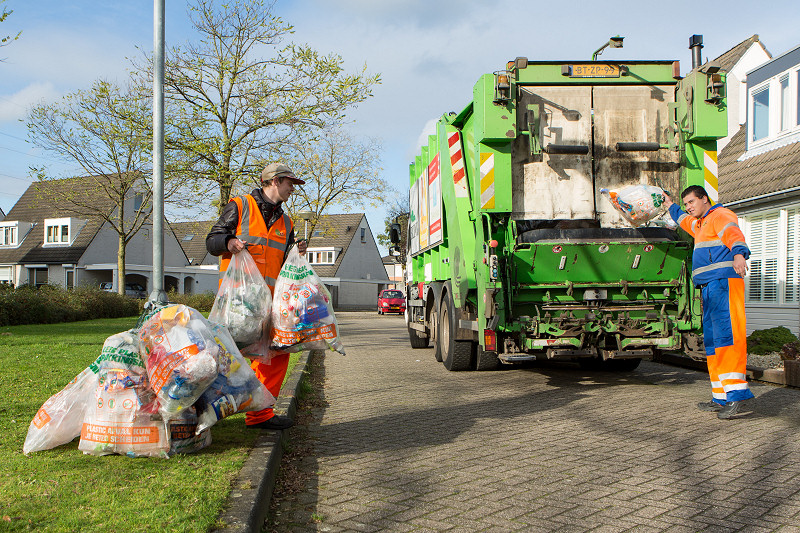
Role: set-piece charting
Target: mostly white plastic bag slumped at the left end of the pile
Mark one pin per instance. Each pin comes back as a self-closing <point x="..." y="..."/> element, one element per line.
<point x="61" y="417"/>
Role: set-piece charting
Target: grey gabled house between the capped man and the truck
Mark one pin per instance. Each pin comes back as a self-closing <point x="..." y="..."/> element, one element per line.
<point x="343" y="253"/>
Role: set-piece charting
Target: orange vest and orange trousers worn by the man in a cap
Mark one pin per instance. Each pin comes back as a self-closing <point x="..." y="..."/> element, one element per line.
<point x="268" y="248"/>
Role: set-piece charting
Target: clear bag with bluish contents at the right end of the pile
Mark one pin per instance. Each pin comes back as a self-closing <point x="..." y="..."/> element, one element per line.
<point x="236" y="387"/>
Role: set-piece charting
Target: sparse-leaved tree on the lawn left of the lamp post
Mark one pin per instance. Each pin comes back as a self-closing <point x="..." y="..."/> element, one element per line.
<point x="100" y="129"/>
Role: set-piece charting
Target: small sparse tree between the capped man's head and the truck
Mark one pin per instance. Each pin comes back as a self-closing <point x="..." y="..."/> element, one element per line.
<point x="340" y="172"/>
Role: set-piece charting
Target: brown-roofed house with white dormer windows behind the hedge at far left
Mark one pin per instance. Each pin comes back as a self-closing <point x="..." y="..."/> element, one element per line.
<point x="40" y="244"/>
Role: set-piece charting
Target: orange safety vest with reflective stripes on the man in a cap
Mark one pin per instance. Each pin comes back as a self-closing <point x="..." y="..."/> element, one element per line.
<point x="266" y="245"/>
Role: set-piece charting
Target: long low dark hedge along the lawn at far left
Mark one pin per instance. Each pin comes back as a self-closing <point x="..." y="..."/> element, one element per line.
<point x="50" y="304"/>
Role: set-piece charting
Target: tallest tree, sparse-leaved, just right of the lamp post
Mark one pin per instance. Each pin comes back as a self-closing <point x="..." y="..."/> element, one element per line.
<point x="238" y="95"/>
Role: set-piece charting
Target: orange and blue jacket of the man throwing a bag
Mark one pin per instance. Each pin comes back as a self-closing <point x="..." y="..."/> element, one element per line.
<point x="717" y="238"/>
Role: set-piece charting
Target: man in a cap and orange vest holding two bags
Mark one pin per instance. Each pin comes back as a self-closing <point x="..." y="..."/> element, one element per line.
<point x="257" y="221"/>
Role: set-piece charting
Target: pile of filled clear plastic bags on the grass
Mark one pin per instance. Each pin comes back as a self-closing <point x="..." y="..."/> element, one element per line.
<point x="152" y="392"/>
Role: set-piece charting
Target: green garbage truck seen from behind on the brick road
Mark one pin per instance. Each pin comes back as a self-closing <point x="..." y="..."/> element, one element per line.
<point x="512" y="253"/>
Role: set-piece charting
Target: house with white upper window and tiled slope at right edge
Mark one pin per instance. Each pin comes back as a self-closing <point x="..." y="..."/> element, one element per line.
<point x="759" y="172"/>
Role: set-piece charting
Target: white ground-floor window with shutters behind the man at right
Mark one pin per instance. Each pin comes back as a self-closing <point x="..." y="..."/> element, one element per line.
<point x="785" y="216"/>
